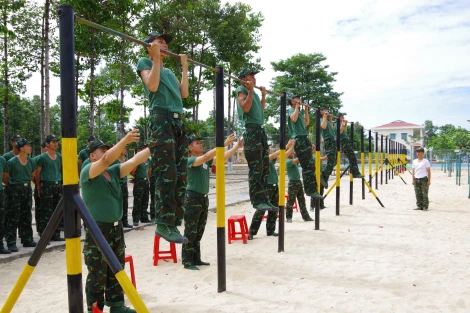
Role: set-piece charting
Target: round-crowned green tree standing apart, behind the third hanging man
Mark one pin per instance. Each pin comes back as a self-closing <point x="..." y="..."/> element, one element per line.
<point x="307" y="76"/>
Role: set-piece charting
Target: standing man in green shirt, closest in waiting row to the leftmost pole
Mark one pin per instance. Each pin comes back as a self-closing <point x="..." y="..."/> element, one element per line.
<point x="49" y="181"/>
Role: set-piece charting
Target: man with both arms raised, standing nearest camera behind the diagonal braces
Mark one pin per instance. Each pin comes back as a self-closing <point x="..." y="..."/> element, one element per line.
<point x="102" y="194"/>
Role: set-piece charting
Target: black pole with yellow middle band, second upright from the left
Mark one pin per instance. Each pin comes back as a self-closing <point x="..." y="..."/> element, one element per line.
<point x="220" y="179"/>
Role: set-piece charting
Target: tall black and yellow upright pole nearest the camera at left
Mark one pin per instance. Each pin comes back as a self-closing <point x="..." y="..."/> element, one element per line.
<point x="72" y="229"/>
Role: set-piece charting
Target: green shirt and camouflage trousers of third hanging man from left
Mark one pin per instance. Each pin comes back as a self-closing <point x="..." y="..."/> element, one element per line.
<point x="303" y="149"/>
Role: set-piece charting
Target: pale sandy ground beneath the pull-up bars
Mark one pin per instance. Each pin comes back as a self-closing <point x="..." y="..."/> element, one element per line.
<point x="368" y="259"/>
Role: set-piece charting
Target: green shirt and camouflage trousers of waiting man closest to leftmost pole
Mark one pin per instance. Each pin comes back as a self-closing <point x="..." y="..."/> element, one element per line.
<point x="51" y="189"/>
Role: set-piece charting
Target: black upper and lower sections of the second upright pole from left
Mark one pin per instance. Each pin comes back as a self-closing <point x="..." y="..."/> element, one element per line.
<point x="219" y="143"/>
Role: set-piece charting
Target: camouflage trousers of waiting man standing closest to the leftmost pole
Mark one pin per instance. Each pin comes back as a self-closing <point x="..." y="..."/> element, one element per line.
<point x="51" y="193"/>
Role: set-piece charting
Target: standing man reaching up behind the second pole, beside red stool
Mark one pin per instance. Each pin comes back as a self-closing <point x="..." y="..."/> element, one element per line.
<point x="196" y="203"/>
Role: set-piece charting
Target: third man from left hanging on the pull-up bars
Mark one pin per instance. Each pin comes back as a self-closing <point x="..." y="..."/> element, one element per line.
<point x="297" y="124"/>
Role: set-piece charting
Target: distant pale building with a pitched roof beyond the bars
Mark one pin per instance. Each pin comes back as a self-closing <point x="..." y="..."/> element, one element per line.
<point x="408" y="134"/>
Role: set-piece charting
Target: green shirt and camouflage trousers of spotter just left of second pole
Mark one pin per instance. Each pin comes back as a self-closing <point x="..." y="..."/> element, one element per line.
<point x="196" y="205"/>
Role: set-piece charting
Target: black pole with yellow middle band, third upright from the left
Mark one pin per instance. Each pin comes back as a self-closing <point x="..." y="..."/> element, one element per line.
<point x="282" y="174"/>
